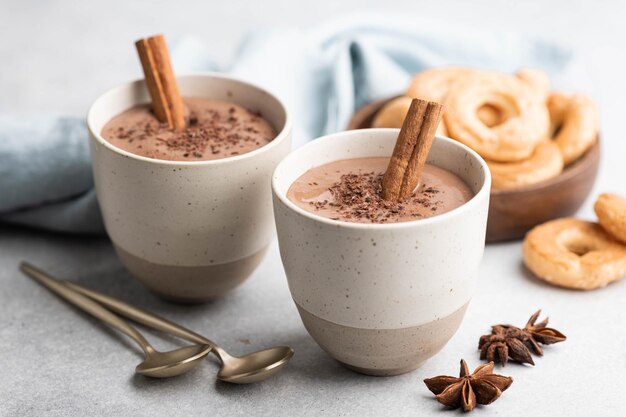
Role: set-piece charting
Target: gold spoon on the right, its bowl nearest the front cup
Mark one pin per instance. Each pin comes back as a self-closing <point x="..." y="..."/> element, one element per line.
<point x="253" y="367"/>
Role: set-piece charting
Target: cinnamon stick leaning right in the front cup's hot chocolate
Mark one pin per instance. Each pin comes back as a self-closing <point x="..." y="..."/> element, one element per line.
<point x="411" y="150"/>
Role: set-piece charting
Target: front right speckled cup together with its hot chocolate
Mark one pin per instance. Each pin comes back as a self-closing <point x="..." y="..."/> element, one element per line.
<point x="379" y="293"/>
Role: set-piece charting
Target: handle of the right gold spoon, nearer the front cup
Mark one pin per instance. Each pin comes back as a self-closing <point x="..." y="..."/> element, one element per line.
<point x="141" y="316"/>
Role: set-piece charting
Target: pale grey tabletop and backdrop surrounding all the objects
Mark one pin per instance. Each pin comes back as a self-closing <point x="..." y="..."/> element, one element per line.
<point x="57" y="56"/>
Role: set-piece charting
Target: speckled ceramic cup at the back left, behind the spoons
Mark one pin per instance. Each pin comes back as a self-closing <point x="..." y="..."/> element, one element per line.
<point x="189" y="231"/>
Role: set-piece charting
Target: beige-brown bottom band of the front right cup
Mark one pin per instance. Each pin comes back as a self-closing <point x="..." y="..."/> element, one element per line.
<point x="382" y="352"/>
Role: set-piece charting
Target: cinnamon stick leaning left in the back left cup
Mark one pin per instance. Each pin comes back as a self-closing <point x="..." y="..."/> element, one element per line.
<point x="167" y="103"/>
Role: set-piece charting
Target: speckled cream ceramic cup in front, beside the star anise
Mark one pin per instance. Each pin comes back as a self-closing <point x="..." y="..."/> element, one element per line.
<point x="381" y="298"/>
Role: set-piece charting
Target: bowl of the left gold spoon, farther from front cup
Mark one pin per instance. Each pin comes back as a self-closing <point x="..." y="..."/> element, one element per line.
<point x="172" y="363"/>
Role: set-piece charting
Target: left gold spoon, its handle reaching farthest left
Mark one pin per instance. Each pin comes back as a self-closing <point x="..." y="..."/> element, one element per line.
<point x="156" y="364"/>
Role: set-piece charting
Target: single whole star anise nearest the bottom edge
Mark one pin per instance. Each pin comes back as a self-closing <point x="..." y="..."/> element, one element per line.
<point x="481" y="387"/>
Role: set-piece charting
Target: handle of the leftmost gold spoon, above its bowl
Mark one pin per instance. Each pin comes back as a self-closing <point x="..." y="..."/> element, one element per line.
<point x="84" y="303"/>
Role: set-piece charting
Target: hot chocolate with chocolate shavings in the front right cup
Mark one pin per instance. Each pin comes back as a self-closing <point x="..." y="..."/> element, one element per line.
<point x="350" y="190"/>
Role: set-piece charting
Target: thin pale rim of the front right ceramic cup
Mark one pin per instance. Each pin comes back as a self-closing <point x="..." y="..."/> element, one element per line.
<point x="482" y="193"/>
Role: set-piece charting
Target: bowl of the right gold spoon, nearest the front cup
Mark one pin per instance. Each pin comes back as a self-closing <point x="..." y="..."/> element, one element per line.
<point x="254" y="367"/>
